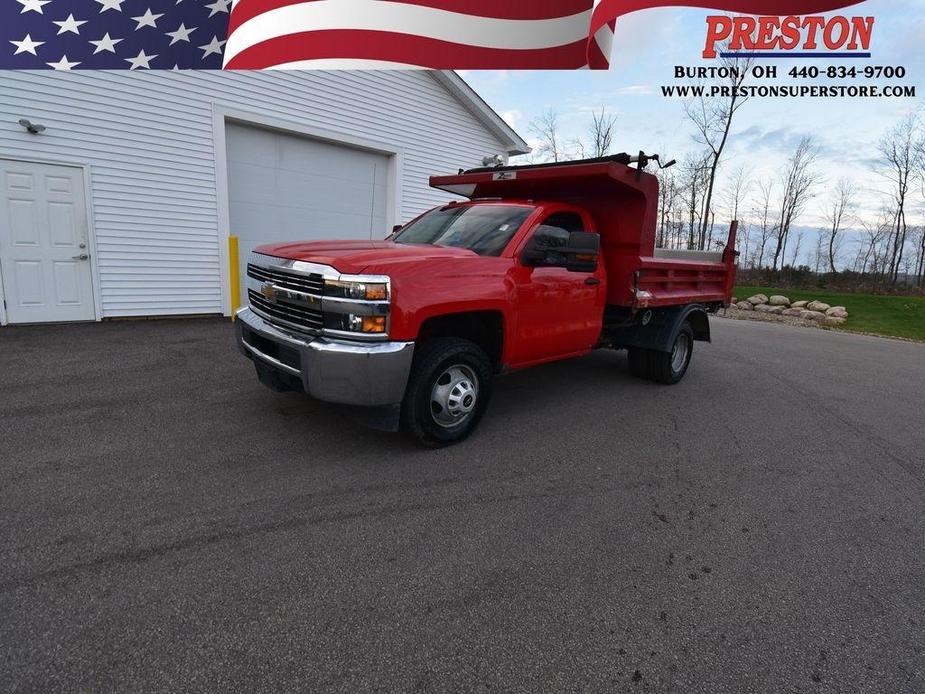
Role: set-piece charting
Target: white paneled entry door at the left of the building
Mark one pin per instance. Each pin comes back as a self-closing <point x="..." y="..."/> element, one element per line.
<point x="44" y="256"/>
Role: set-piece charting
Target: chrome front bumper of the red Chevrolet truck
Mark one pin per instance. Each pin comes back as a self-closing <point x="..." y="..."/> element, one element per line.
<point x="349" y="373"/>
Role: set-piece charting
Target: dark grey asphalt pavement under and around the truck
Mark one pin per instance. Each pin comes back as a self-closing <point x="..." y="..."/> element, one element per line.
<point x="168" y="524"/>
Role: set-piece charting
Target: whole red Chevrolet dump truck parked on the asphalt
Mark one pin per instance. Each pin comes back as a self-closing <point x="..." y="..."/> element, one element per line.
<point x="537" y="264"/>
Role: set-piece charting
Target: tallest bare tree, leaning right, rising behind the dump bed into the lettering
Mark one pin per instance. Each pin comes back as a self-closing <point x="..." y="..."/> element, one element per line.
<point x="712" y="117"/>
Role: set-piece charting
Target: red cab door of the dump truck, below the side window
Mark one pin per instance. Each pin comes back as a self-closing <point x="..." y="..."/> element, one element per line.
<point x="558" y="313"/>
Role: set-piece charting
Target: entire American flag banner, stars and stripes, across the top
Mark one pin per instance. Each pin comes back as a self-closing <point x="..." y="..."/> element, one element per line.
<point x="260" y="34"/>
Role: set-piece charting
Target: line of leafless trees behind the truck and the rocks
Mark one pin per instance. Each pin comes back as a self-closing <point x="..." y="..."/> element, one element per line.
<point x="888" y="250"/>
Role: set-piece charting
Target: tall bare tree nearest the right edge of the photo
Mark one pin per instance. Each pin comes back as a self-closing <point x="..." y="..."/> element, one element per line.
<point x="902" y="152"/>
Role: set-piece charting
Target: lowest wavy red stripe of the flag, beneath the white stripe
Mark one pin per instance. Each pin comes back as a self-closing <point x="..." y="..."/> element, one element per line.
<point x="403" y="48"/>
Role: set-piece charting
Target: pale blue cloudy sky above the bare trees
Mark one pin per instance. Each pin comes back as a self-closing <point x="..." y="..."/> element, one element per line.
<point x="648" y="44"/>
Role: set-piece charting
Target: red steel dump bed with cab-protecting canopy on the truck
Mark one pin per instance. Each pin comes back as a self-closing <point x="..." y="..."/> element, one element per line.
<point x="623" y="202"/>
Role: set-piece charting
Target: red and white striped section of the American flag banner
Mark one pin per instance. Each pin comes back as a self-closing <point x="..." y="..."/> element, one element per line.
<point x="448" y="34"/>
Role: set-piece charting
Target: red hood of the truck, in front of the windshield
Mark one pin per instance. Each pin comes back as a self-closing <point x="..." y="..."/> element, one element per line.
<point x="354" y="257"/>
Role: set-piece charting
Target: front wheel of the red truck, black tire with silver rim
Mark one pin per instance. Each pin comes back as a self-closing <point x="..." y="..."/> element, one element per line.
<point x="439" y="414"/>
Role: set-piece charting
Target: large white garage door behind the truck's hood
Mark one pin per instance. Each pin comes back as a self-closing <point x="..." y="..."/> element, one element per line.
<point x="284" y="187"/>
